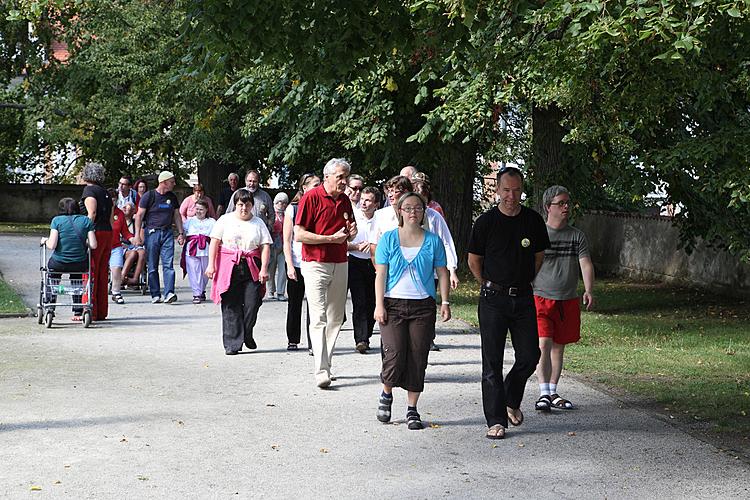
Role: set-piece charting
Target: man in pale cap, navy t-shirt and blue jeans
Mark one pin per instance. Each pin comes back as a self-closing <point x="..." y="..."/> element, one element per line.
<point x="157" y="211"/>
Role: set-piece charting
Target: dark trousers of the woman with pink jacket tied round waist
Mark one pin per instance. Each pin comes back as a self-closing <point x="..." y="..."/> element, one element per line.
<point x="239" y="311"/>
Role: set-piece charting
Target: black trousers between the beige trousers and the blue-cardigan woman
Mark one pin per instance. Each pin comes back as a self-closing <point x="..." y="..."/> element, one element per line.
<point x="362" y="288"/>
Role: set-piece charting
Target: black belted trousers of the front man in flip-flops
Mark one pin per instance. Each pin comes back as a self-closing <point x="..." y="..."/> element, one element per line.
<point x="498" y="314"/>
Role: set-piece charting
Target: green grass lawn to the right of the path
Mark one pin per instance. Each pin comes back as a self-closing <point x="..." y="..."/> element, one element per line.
<point x="680" y="351"/>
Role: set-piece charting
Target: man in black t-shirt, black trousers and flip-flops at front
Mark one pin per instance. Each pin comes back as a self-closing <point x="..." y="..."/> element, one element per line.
<point x="505" y="253"/>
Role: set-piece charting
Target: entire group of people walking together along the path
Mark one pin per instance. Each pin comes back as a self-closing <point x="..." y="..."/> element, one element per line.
<point x="333" y="238"/>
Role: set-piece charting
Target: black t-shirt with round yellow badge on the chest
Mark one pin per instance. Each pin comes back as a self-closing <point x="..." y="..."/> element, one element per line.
<point x="508" y="245"/>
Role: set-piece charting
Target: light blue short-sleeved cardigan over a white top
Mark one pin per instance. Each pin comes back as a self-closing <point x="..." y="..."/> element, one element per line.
<point x="431" y="255"/>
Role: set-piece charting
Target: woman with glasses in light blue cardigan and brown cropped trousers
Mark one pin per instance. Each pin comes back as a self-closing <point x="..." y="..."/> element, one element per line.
<point x="406" y="261"/>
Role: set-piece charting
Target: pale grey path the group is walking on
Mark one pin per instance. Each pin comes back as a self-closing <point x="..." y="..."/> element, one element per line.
<point x="146" y="405"/>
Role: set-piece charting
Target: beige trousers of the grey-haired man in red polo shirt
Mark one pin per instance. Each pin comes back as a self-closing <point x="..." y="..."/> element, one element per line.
<point x="325" y="287"/>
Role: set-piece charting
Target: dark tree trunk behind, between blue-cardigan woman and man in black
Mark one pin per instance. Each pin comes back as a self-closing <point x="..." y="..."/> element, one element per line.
<point x="453" y="187"/>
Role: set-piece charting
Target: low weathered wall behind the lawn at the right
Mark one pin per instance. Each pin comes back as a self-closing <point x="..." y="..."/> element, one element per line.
<point x="647" y="247"/>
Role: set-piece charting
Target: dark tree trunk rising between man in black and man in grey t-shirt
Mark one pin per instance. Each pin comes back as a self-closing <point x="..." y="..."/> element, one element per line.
<point x="548" y="160"/>
